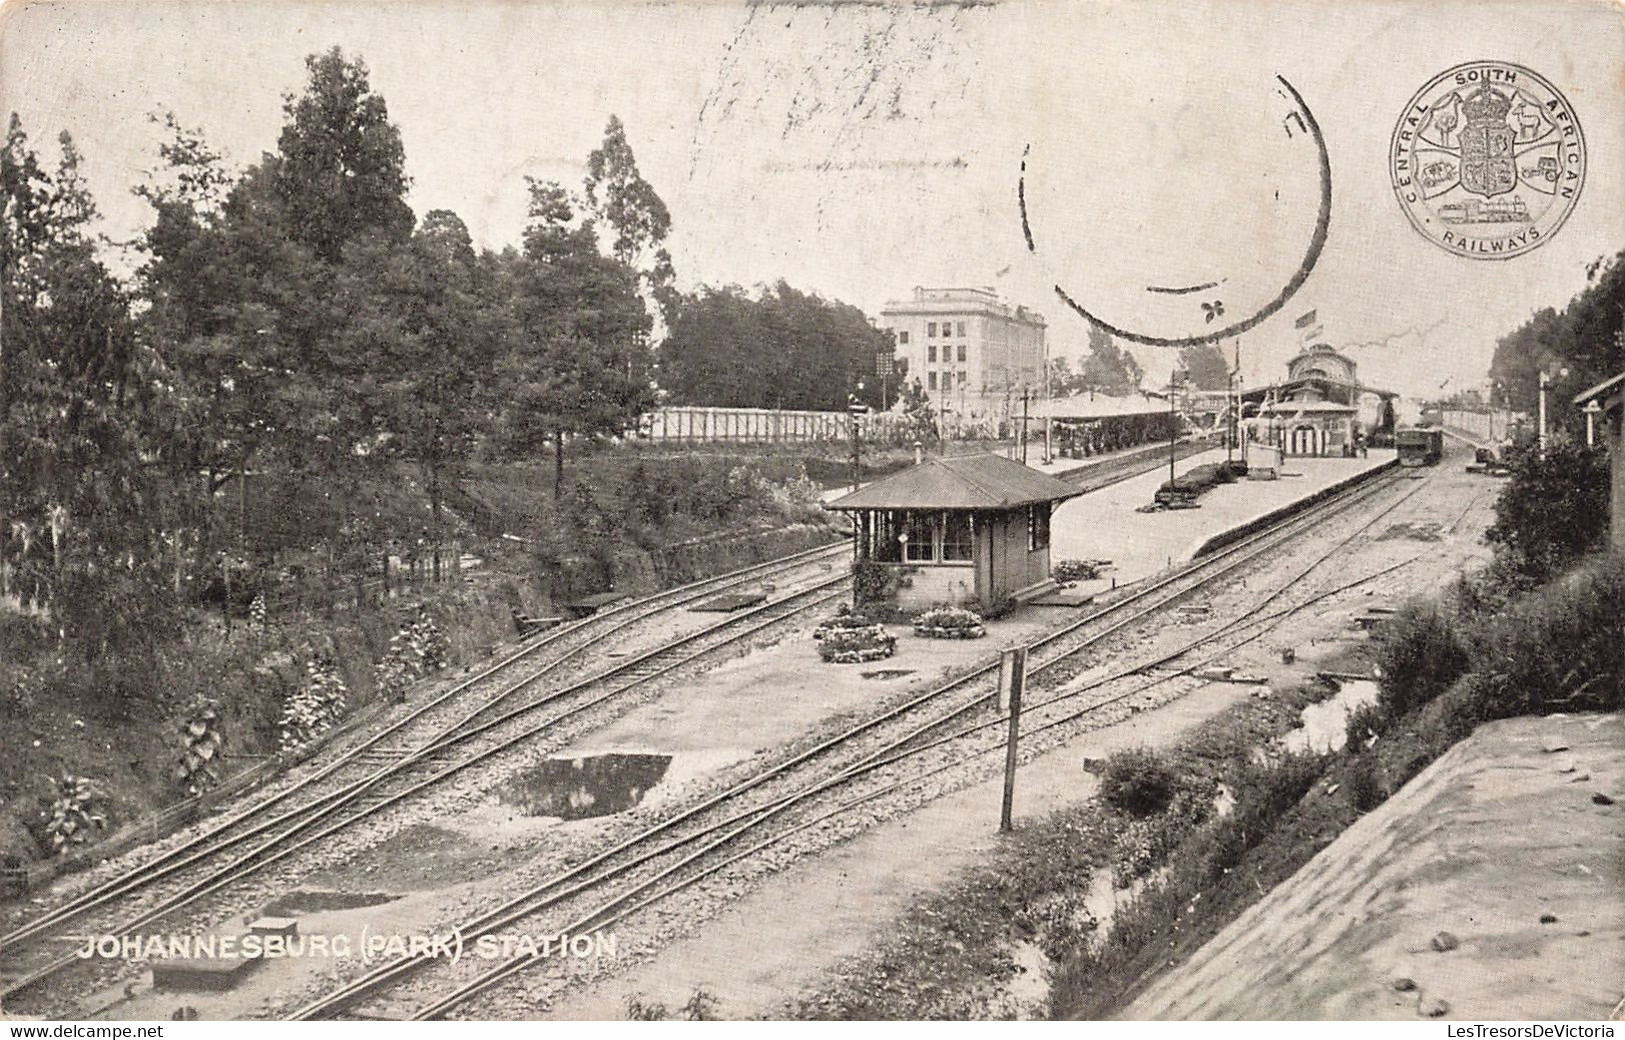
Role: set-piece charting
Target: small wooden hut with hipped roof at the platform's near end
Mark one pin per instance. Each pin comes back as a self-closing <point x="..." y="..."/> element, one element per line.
<point x="966" y="532"/>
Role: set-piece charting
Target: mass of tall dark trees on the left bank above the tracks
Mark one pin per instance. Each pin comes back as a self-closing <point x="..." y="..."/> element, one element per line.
<point x="292" y="319"/>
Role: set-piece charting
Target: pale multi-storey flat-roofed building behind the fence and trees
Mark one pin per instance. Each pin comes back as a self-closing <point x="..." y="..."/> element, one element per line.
<point x="973" y="353"/>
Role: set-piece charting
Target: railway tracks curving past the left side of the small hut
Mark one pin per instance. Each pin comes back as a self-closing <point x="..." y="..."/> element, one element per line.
<point x="495" y="711"/>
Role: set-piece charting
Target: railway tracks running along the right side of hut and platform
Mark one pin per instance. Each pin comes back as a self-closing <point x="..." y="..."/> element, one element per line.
<point x="695" y="844"/>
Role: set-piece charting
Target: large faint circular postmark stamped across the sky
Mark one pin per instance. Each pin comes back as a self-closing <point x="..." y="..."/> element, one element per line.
<point x="1194" y="217"/>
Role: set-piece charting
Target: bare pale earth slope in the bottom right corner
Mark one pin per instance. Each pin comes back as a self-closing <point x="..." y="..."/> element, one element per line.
<point x="1501" y="844"/>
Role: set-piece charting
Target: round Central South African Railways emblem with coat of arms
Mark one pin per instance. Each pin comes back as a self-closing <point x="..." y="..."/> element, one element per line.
<point x="1488" y="160"/>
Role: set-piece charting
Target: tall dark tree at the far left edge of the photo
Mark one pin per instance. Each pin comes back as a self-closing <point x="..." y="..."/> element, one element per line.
<point x="80" y="501"/>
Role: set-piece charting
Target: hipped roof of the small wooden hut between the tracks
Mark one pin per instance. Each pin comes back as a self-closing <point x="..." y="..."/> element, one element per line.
<point x="969" y="482"/>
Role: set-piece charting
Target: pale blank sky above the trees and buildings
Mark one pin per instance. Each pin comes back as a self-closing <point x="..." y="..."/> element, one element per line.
<point x="860" y="150"/>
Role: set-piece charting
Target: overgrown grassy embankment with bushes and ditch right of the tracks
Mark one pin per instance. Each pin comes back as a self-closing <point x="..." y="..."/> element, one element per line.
<point x="1447" y="667"/>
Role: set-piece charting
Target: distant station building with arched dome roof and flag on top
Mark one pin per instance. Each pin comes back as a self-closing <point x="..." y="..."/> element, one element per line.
<point x="1317" y="409"/>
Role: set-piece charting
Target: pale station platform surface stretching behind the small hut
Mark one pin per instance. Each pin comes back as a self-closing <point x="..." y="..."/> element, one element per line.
<point x="1104" y="526"/>
